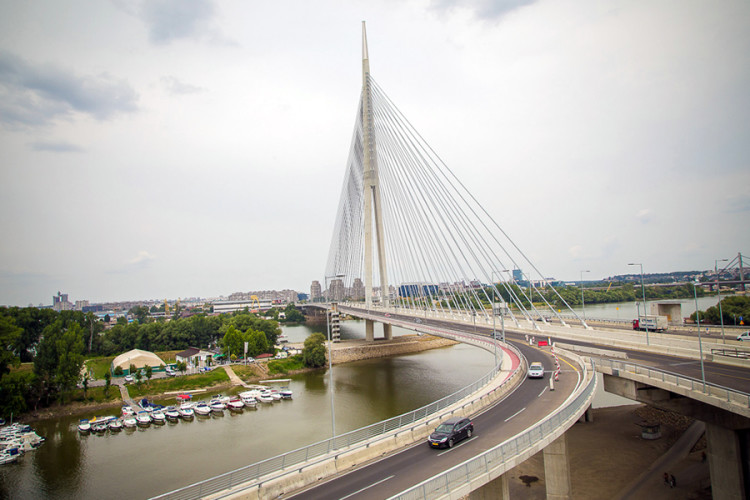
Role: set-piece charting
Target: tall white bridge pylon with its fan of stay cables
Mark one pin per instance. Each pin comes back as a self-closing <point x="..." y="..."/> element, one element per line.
<point x="444" y="254"/>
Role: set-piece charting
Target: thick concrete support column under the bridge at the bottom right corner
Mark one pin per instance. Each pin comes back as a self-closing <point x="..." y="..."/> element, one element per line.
<point x="725" y="462"/>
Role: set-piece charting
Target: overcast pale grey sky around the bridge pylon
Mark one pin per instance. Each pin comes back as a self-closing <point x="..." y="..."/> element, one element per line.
<point x="177" y="148"/>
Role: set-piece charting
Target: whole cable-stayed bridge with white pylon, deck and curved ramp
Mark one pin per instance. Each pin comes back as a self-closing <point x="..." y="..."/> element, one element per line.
<point x="412" y="247"/>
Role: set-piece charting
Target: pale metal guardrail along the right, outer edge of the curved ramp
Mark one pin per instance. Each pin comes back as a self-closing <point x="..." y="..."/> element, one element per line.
<point x="461" y="475"/>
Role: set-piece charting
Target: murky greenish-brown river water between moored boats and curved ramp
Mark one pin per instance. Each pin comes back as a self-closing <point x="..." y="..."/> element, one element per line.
<point x="142" y="463"/>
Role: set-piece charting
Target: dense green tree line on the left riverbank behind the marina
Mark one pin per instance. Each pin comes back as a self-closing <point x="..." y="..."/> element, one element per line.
<point x="56" y="343"/>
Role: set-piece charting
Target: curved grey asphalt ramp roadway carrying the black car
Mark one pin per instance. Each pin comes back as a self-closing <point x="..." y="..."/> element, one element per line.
<point x="521" y="409"/>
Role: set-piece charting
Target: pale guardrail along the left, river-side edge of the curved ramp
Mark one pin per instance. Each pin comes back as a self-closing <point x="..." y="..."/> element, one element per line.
<point x="322" y="449"/>
